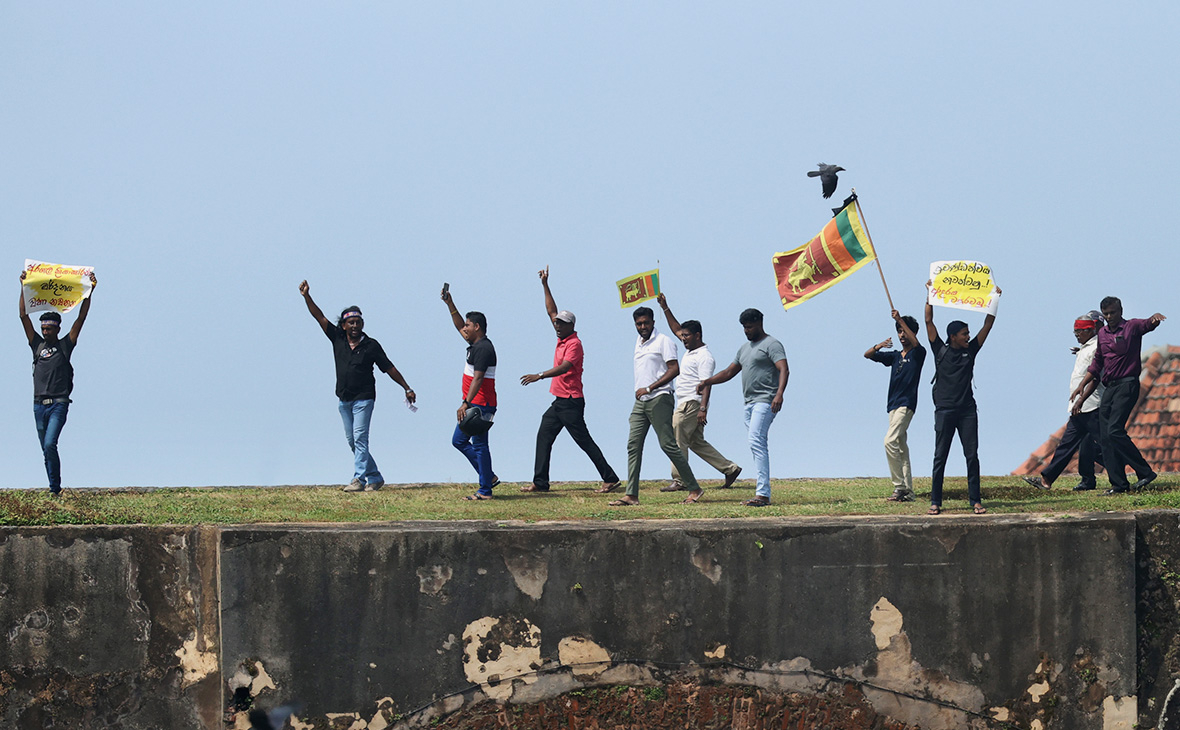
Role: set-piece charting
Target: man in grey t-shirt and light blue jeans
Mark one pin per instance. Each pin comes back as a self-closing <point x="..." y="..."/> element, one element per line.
<point x="763" y="364"/>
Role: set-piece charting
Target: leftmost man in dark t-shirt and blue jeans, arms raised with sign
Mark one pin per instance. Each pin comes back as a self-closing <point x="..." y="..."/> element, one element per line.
<point x="53" y="379"/>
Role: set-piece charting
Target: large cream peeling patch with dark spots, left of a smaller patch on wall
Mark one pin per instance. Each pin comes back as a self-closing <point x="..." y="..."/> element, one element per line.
<point x="499" y="650"/>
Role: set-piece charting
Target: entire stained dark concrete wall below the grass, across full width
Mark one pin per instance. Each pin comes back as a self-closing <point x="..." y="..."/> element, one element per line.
<point x="945" y="622"/>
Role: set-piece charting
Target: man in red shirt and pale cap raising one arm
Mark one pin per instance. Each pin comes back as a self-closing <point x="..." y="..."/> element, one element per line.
<point x="568" y="410"/>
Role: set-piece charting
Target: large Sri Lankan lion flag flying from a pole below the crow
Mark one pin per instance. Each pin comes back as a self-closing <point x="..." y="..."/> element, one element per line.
<point x="838" y="251"/>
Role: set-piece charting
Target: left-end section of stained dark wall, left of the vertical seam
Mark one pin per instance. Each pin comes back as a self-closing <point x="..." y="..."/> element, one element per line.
<point x="109" y="628"/>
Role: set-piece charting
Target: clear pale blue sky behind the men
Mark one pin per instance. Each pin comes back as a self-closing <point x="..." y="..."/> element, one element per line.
<point x="207" y="159"/>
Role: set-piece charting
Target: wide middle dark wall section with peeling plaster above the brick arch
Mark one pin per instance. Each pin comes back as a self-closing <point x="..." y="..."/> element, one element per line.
<point x="1026" y="621"/>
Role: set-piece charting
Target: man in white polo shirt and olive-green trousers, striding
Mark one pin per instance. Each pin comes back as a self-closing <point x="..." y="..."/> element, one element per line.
<point x="655" y="369"/>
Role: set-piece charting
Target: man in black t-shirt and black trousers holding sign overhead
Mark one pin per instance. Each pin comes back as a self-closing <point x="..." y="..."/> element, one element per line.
<point x="955" y="409"/>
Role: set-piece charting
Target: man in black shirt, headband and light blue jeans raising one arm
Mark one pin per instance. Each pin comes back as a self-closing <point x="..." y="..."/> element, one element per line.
<point x="356" y="356"/>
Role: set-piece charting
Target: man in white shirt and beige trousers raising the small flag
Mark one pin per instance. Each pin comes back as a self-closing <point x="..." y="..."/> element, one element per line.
<point x="690" y="418"/>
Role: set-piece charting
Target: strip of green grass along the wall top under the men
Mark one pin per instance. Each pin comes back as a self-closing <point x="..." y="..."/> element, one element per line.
<point x="566" y="502"/>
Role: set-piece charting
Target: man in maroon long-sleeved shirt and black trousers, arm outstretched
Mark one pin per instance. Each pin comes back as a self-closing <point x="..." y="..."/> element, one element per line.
<point x="1117" y="364"/>
